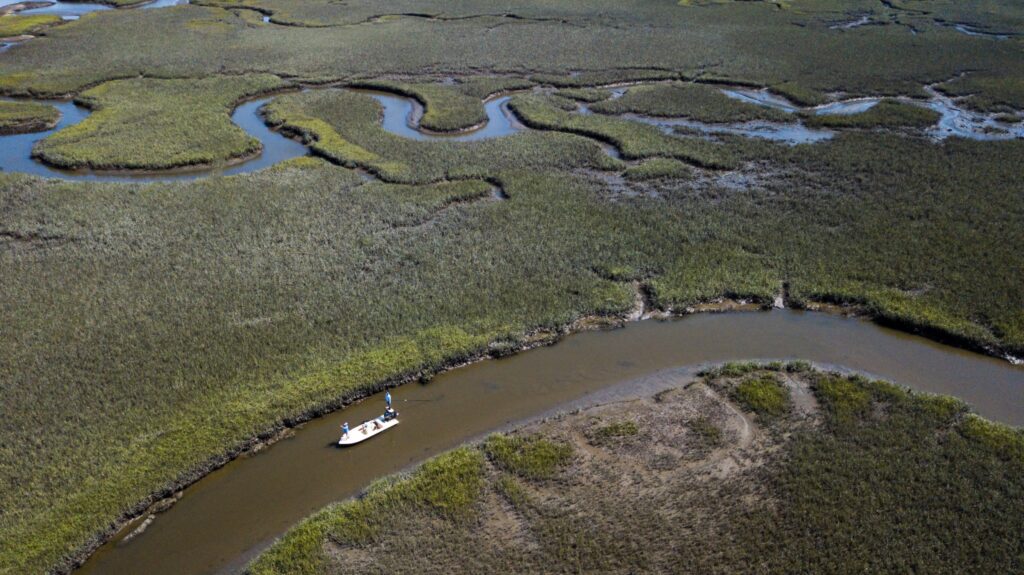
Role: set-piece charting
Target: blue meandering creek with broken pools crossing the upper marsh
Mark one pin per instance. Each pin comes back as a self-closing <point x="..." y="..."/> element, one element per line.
<point x="402" y="117"/>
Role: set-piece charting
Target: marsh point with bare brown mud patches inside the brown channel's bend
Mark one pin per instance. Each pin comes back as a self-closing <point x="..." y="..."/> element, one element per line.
<point x="751" y="468"/>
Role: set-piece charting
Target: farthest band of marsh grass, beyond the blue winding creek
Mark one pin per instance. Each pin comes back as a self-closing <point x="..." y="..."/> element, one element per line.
<point x="561" y="45"/>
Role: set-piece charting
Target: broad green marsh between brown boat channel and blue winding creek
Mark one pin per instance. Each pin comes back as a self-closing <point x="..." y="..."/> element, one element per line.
<point x="185" y="380"/>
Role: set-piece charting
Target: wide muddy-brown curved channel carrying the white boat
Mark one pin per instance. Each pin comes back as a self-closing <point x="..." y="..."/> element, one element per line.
<point x="232" y="515"/>
